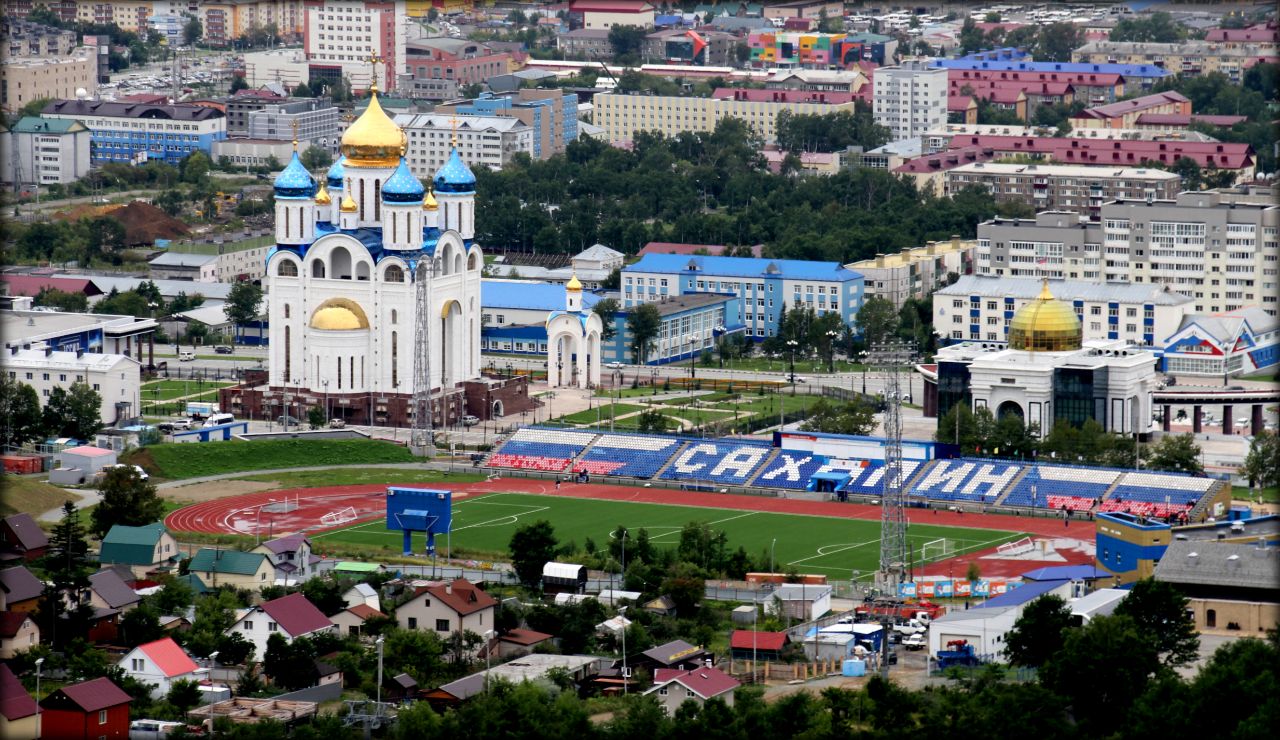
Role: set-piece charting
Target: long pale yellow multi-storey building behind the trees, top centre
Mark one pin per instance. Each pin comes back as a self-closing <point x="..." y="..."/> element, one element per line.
<point x="621" y="116"/>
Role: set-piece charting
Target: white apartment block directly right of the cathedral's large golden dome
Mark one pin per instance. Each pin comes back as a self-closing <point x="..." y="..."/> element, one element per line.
<point x="482" y="140"/>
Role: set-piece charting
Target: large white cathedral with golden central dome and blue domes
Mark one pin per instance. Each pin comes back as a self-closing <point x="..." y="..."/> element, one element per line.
<point x="342" y="282"/>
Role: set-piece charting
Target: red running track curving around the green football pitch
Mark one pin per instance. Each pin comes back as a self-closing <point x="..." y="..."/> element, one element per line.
<point x="239" y="515"/>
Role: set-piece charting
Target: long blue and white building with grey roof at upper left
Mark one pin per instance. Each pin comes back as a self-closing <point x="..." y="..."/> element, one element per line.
<point x="136" y="133"/>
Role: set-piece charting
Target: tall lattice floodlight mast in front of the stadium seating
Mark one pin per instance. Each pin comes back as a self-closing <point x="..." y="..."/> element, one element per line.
<point x="895" y="556"/>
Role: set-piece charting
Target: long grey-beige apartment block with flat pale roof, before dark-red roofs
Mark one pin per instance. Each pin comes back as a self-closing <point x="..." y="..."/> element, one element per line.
<point x="1076" y="189"/>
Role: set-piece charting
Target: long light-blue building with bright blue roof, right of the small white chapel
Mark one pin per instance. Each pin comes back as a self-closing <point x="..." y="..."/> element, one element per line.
<point x="762" y="286"/>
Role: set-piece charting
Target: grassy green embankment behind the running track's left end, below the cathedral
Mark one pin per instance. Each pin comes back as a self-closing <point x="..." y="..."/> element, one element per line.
<point x="191" y="460"/>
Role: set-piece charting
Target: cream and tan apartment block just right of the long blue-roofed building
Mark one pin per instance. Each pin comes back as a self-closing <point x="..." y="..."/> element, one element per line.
<point x="918" y="272"/>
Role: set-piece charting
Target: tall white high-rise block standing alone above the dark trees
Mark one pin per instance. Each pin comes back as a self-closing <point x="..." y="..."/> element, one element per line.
<point x="911" y="99"/>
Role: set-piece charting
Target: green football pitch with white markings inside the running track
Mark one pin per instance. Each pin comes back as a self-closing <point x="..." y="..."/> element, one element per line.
<point x="817" y="545"/>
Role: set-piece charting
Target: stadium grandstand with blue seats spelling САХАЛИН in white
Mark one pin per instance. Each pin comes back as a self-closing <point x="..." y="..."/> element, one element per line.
<point x="758" y="464"/>
